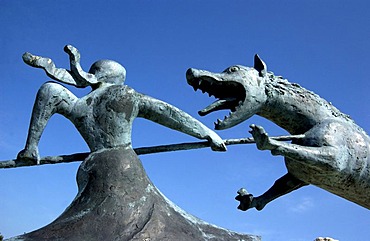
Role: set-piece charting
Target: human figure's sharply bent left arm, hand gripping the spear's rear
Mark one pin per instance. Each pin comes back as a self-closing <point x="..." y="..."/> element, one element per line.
<point x="50" y="99"/>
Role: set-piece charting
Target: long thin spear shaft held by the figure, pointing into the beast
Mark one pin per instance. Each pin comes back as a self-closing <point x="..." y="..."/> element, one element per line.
<point x="140" y="151"/>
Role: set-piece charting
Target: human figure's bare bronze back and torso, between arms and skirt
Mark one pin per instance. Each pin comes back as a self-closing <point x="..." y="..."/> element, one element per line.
<point x="104" y="117"/>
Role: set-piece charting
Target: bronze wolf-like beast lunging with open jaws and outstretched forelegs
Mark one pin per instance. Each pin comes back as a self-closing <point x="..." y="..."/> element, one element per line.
<point x="333" y="153"/>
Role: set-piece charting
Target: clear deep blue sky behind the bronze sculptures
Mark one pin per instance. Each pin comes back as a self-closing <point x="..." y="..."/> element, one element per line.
<point x="322" y="45"/>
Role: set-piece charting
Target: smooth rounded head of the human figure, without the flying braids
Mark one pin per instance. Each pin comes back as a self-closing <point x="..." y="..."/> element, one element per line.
<point x="108" y="71"/>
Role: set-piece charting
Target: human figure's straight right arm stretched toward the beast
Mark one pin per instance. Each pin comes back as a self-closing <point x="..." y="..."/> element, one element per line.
<point x="174" y="118"/>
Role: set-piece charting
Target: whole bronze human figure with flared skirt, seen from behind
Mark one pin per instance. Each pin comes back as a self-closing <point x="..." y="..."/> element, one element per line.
<point x="115" y="200"/>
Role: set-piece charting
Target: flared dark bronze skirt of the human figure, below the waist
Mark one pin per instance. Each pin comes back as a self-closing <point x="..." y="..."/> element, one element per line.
<point x="117" y="201"/>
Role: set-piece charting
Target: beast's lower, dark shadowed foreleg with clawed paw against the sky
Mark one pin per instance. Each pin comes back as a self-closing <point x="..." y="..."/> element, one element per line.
<point x="282" y="186"/>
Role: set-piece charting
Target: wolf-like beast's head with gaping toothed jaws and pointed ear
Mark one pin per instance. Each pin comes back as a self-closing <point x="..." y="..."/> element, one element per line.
<point x="238" y="88"/>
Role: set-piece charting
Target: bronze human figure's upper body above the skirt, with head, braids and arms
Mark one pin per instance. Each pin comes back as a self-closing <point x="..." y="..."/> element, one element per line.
<point x="104" y="117"/>
